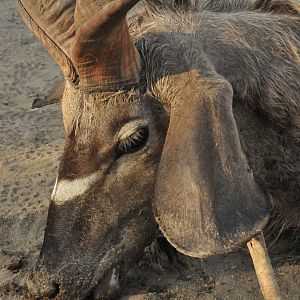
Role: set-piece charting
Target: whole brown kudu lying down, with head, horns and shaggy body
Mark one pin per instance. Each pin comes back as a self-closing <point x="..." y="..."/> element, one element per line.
<point x="183" y="116"/>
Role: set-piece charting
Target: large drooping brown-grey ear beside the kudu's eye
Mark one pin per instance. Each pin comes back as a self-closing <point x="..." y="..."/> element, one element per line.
<point x="206" y="200"/>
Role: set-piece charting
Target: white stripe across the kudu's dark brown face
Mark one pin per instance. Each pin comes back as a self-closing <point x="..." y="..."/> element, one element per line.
<point x="66" y="190"/>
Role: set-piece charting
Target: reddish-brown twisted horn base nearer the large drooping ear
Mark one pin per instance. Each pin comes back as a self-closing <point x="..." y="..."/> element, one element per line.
<point x="103" y="52"/>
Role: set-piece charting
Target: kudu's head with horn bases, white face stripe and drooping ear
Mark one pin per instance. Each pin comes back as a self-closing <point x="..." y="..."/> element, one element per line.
<point x="100" y="214"/>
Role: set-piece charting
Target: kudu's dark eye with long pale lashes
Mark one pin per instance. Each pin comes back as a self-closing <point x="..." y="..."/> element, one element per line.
<point x="135" y="141"/>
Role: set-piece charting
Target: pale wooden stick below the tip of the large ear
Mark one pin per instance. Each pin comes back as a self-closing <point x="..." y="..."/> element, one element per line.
<point x="264" y="271"/>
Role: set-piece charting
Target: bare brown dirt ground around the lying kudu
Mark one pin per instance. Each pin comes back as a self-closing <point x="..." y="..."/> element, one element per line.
<point x="31" y="143"/>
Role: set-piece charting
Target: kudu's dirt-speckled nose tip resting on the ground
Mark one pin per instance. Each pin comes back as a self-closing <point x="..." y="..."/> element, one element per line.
<point x="39" y="287"/>
